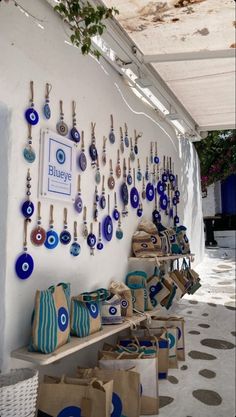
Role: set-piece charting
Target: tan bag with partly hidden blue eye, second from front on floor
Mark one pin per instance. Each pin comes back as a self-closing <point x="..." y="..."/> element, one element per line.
<point x="126" y="385"/>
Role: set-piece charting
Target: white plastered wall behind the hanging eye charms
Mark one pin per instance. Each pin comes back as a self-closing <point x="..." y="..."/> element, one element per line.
<point x="30" y="53"/>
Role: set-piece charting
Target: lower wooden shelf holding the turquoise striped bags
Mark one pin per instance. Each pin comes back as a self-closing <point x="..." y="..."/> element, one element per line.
<point x="74" y="345"/>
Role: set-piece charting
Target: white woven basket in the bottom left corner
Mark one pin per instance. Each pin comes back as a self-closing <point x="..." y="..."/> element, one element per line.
<point x="18" y="393"/>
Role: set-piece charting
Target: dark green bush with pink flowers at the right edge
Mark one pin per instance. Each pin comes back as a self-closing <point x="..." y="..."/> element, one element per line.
<point x="217" y="154"/>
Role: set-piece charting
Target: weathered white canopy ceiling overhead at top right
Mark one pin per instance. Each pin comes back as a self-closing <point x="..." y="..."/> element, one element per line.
<point x="184" y="45"/>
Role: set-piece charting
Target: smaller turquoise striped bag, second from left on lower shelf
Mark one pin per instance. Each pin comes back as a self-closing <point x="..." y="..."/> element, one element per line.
<point x="86" y="312"/>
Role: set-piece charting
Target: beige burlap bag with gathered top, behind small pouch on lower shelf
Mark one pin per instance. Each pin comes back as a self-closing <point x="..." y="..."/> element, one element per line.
<point x="119" y="288"/>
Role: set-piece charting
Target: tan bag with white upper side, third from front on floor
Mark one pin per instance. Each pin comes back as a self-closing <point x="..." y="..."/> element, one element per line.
<point x="146" y="365"/>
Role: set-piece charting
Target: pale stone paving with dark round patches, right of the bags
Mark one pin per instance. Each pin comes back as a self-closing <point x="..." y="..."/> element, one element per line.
<point x="204" y="385"/>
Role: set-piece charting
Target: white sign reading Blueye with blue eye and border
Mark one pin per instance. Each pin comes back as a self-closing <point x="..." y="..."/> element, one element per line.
<point x="57" y="169"/>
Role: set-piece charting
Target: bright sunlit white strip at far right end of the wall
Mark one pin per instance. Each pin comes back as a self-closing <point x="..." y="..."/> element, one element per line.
<point x="189" y="184"/>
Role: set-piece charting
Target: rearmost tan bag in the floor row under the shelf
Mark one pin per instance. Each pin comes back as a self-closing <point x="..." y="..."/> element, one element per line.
<point x="179" y="323"/>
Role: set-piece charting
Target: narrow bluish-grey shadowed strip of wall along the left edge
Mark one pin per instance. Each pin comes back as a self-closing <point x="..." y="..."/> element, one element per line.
<point x="4" y="135"/>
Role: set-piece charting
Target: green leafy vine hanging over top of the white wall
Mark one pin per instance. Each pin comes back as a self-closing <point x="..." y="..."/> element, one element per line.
<point x="85" y="22"/>
